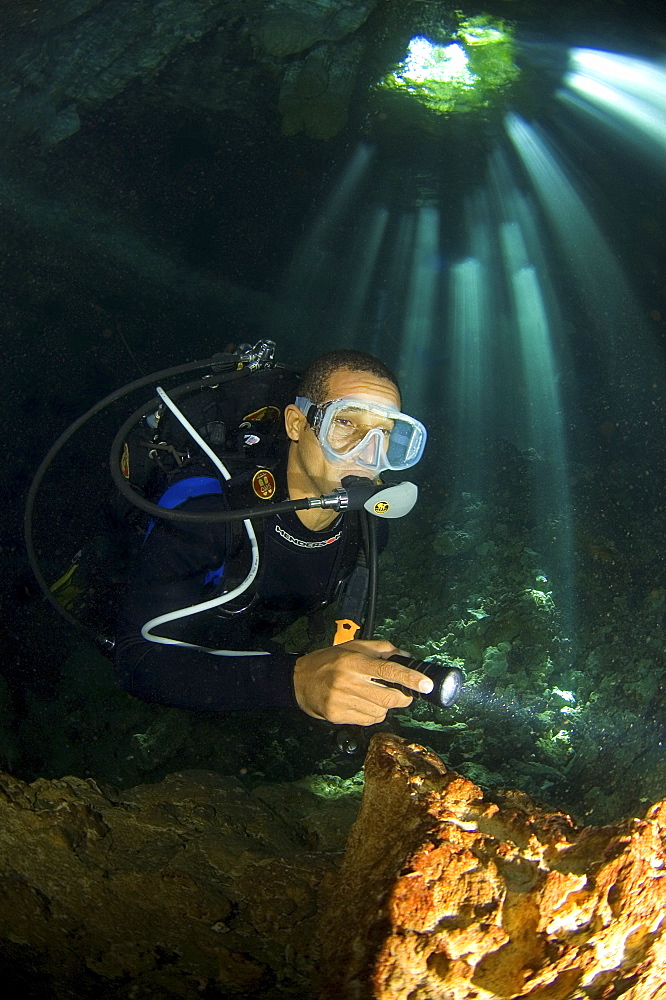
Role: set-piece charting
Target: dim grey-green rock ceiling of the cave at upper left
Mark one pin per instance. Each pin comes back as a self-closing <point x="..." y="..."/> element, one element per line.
<point x="66" y="59"/>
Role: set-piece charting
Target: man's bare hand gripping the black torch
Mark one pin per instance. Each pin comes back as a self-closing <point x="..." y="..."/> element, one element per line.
<point x="337" y="683"/>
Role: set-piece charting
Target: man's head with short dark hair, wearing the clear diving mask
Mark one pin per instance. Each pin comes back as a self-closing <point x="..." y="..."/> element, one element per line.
<point x="347" y="421"/>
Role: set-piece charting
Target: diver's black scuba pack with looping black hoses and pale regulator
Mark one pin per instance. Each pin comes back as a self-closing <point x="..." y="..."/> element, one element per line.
<point x="229" y="417"/>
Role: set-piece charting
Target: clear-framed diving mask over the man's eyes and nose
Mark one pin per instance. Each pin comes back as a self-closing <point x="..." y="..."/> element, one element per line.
<point x="373" y="436"/>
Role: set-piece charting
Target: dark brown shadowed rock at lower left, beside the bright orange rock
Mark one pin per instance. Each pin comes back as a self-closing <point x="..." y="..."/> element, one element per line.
<point x="163" y="890"/>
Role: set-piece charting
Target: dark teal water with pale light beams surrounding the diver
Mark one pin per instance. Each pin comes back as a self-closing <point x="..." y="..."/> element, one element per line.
<point x="507" y="262"/>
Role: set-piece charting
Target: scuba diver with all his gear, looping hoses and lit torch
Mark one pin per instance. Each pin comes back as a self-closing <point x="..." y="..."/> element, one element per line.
<point x="265" y="503"/>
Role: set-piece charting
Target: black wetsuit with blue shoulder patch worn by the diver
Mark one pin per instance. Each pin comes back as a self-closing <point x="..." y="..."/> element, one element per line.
<point x="185" y="564"/>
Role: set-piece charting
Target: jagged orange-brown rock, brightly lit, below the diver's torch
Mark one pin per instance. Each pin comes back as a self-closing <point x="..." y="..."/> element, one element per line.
<point x="444" y="894"/>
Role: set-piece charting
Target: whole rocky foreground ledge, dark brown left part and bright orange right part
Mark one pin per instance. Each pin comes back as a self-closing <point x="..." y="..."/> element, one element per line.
<point x="199" y="884"/>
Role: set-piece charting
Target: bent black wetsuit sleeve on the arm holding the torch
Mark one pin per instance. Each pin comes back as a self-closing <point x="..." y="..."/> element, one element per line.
<point x="169" y="575"/>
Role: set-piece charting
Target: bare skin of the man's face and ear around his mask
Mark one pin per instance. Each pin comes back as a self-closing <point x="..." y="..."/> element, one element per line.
<point x="310" y="466"/>
